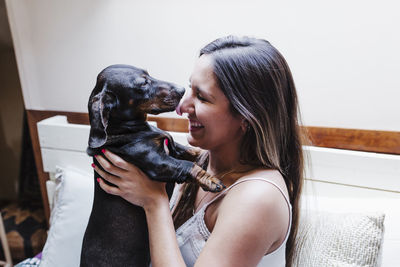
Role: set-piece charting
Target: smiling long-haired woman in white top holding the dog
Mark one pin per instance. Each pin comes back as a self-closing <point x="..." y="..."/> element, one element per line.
<point x="242" y="110"/>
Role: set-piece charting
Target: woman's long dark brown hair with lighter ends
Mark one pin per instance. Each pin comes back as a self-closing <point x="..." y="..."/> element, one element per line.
<point x="258" y="83"/>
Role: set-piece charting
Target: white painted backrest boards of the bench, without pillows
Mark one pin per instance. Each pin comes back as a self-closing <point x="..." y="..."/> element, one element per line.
<point x="362" y="180"/>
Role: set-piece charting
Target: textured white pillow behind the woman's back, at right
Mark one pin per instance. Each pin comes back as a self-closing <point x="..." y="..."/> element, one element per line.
<point x="339" y="239"/>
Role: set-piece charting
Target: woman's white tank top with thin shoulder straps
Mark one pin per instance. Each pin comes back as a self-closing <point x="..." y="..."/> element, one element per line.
<point x="193" y="234"/>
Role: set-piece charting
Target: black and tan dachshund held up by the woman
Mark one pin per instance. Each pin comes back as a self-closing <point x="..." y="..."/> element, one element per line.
<point x="117" y="234"/>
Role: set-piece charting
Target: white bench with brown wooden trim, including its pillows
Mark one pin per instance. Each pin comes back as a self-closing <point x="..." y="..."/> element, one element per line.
<point x="350" y="204"/>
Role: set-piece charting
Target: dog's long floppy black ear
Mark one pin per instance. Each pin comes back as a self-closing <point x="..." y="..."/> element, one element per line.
<point x="100" y="106"/>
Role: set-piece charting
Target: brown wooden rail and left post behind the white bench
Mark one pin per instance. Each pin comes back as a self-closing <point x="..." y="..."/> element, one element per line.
<point x="350" y="139"/>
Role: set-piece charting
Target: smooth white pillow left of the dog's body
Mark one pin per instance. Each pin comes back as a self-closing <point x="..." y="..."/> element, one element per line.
<point x="69" y="218"/>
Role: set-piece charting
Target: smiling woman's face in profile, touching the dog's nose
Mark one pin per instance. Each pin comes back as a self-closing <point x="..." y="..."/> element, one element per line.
<point x="211" y="123"/>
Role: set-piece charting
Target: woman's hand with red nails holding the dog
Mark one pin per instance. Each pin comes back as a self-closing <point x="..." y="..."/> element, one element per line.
<point x="131" y="183"/>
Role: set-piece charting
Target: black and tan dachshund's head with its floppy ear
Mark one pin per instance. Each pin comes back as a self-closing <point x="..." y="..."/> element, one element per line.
<point x="125" y="93"/>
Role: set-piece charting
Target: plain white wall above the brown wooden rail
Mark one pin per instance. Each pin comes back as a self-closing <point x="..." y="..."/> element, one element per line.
<point x="343" y="54"/>
